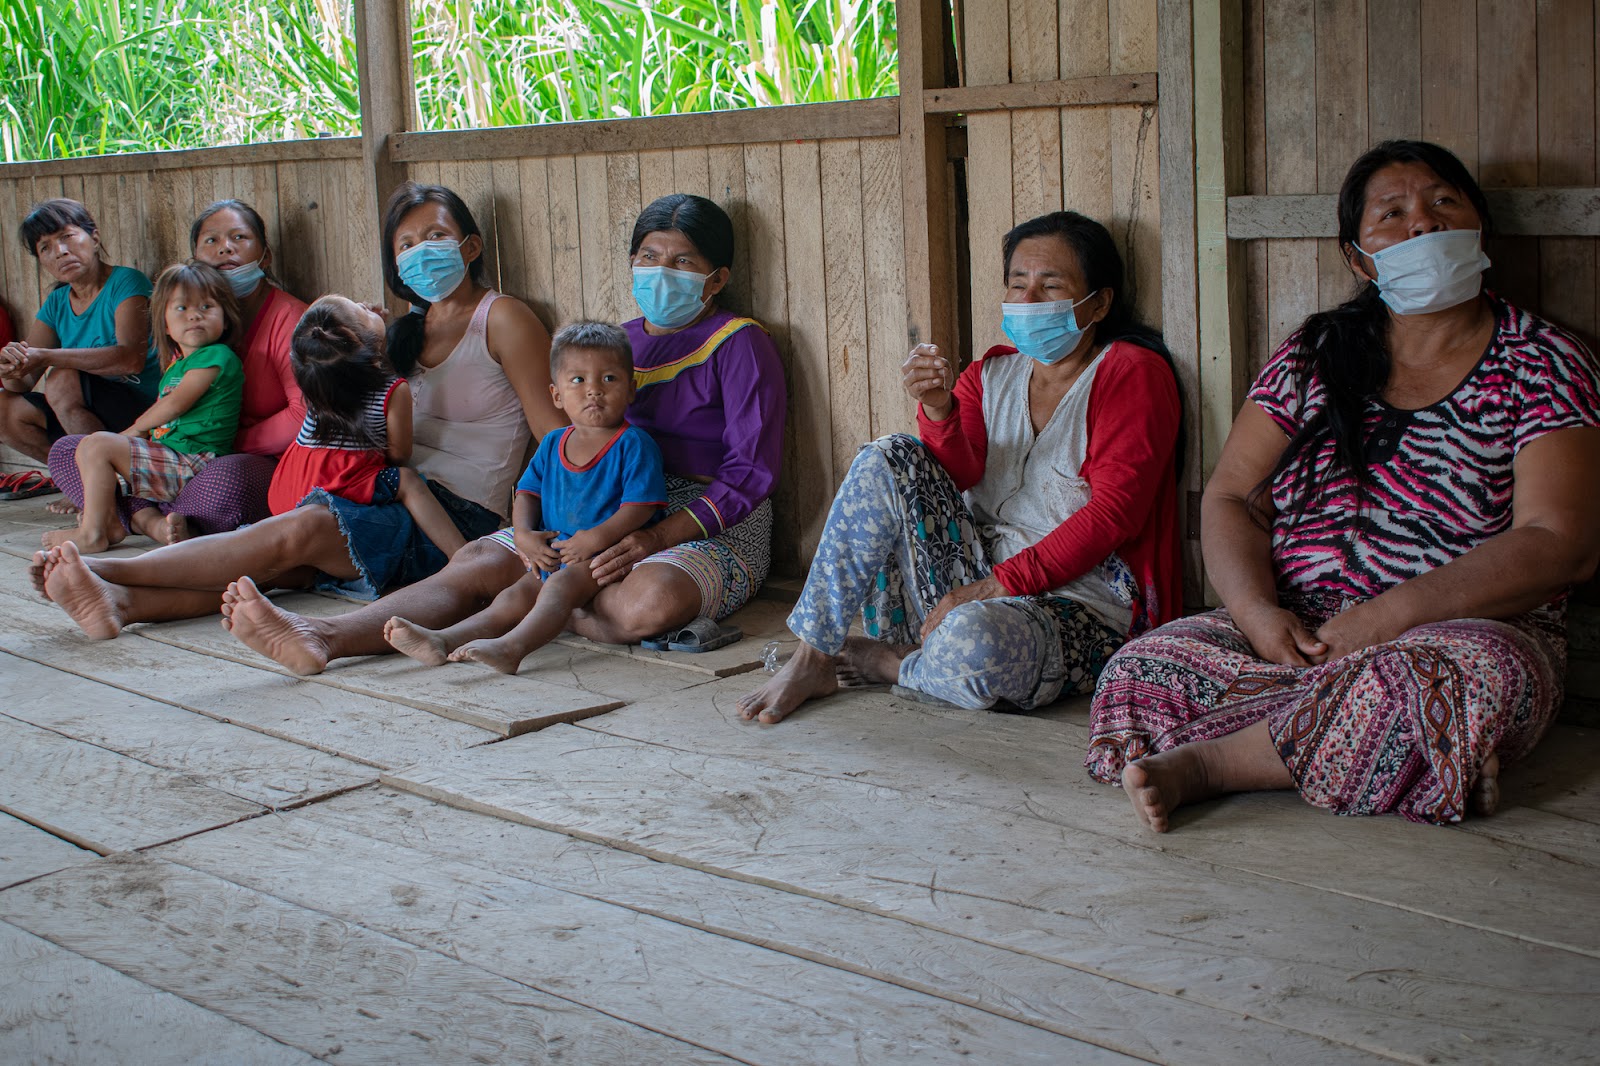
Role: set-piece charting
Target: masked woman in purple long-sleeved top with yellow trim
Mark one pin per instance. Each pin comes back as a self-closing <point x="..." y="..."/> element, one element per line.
<point x="711" y="393"/>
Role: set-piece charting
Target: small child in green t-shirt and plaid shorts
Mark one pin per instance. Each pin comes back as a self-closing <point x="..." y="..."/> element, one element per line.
<point x="194" y="420"/>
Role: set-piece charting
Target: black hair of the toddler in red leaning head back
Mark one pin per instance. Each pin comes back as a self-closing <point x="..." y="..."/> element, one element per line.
<point x="338" y="366"/>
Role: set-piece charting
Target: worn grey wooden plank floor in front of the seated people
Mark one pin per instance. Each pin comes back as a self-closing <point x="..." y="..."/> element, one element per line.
<point x="204" y="859"/>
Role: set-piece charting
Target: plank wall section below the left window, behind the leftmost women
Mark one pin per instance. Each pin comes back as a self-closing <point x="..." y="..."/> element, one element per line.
<point x="321" y="238"/>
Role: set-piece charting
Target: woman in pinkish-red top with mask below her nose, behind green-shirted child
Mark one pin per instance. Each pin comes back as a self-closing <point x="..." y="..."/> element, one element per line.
<point x="233" y="491"/>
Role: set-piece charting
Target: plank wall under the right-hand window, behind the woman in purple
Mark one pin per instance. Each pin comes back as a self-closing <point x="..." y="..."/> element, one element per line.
<point x="818" y="262"/>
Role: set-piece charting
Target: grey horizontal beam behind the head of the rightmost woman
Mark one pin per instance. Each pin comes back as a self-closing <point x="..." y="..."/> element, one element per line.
<point x="1518" y="214"/>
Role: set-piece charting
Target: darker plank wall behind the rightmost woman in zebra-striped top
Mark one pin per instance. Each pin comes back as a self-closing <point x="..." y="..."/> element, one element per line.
<point x="1510" y="86"/>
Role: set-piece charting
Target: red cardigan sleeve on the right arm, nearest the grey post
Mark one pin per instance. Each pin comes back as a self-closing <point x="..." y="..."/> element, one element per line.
<point x="1132" y="433"/>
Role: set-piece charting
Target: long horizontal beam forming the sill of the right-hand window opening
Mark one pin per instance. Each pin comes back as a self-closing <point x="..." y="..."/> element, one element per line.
<point x="751" y="126"/>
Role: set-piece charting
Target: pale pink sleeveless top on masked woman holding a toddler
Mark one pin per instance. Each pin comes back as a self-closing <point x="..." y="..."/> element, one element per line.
<point x="470" y="431"/>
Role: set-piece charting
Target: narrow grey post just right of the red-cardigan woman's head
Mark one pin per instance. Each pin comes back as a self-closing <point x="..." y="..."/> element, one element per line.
<point x="1180" y="287"/>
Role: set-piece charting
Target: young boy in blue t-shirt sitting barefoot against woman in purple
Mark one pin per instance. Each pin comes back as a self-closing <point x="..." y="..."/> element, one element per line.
<point x="586" y="489"/>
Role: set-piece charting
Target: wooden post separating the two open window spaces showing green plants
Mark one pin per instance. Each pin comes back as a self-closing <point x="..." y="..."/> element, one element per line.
<point x="383" y="63"/>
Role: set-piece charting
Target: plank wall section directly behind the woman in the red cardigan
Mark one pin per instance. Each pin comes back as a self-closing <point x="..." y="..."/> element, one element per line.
<point x="1098" y="161"/>
